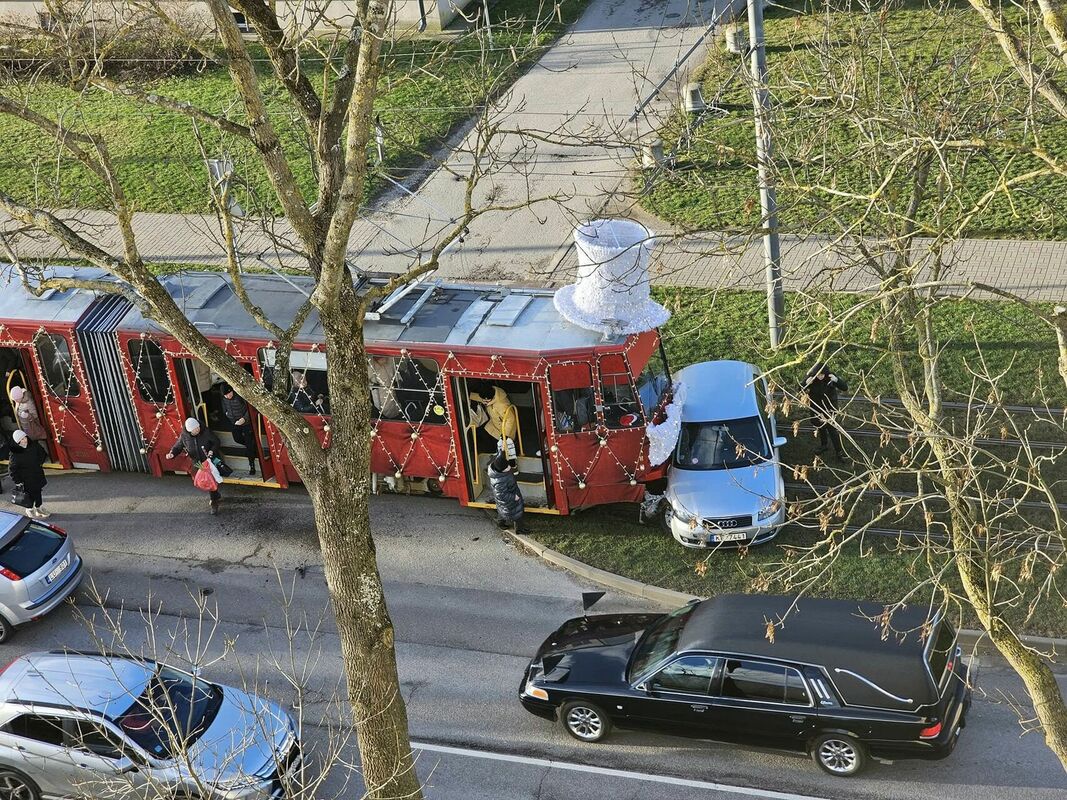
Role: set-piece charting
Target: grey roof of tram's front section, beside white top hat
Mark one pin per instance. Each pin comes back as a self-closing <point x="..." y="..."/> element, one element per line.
<point x="432" y="313"/>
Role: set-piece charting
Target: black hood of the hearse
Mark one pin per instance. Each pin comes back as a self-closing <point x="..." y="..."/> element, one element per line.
<point x="592" y="650"/>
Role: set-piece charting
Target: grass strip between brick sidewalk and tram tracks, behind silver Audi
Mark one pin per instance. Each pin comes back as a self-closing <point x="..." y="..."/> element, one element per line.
<point x="732" y="325"/>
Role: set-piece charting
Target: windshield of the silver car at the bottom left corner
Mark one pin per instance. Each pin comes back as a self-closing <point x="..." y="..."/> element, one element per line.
<point x="172" y="713"/>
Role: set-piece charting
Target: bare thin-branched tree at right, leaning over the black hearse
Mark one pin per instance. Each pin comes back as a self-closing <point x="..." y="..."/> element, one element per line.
<point x="977" y="483"/>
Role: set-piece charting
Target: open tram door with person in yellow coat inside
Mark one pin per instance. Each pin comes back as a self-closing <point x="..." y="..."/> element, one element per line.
<point x="520" y="403"/>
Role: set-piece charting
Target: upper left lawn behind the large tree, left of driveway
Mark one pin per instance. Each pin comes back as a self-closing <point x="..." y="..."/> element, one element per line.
<point x="427" y="91"/>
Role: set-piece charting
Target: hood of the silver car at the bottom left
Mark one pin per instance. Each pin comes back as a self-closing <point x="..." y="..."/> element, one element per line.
<point x="248" y="738"/>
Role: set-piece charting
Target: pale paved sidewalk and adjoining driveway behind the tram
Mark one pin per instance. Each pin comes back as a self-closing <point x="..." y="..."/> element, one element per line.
<point x="587" y="85"/>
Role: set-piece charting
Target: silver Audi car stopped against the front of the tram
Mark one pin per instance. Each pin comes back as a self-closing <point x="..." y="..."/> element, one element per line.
<point x="725" y="487"/>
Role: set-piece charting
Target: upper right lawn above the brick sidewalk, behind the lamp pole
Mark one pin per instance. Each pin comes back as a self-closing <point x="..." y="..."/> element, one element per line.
<point x="714" y="185"/>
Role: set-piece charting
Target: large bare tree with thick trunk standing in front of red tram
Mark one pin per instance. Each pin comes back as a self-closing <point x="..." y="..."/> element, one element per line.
<point x="332" y="104"/>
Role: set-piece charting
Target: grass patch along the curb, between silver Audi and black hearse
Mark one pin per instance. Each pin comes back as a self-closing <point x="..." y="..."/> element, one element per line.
<point x="878" y="569"/>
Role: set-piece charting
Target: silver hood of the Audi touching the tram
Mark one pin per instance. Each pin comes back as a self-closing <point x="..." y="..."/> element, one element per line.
<point x="724" y="492"/>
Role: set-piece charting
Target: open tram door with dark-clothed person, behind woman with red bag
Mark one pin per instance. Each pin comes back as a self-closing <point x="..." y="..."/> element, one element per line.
<point x="201" y="392"/>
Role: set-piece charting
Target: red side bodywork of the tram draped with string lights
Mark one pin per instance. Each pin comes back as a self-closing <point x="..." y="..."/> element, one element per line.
<point x="418" y="438"/>
